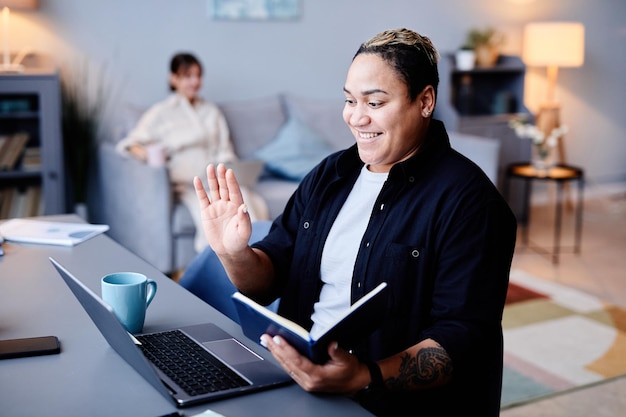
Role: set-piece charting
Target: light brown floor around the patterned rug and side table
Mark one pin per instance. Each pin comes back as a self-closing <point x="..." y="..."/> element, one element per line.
<point x="600" y="269"/>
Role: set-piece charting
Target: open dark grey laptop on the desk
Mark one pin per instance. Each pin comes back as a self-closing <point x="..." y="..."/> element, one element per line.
<point x="240" y="369"/>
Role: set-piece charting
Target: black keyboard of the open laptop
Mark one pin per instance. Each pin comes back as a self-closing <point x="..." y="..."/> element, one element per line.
<point x="193" y="368"/>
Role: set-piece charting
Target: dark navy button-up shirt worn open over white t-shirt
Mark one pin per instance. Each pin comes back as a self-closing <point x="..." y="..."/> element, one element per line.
<point x="442" y="237"/>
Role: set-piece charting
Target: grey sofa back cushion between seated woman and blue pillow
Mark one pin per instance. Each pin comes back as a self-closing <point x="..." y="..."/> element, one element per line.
<point x="253" y="123"/>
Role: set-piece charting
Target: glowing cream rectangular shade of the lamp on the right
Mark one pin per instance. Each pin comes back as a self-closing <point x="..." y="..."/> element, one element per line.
<point x="560" y="44"/>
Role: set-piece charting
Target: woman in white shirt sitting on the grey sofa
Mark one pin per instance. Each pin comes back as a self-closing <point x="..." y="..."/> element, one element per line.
<point x="188" y="133"/>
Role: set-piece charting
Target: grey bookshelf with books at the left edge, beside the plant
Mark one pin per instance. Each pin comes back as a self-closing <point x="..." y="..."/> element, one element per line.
<point x="32" y="179"/>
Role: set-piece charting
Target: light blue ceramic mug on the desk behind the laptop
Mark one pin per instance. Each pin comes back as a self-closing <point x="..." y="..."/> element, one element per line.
<point x="129" y="294"/>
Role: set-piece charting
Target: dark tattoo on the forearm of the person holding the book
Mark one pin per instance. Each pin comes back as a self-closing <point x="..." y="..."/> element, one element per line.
<point x="429" y="365"/>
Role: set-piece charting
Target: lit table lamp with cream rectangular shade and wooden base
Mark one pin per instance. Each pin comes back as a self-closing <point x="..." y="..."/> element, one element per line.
<point x="553" y="45"/>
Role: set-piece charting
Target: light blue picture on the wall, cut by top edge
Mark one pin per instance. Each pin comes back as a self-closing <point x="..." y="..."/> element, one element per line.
<point x="254" y="9"/>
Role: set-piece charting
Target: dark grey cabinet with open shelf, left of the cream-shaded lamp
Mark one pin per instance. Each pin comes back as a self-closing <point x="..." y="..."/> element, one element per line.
<point x="481" y="102"/>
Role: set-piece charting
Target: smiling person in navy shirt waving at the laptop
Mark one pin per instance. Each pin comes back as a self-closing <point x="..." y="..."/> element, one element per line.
<point x="401" y="206"/>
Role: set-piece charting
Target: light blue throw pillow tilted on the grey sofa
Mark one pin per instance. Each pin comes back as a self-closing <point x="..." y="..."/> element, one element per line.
<point x="295" y="151"/>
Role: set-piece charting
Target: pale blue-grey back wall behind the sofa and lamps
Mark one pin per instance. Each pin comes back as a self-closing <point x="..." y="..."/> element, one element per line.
<point x="134" y="40"/>
